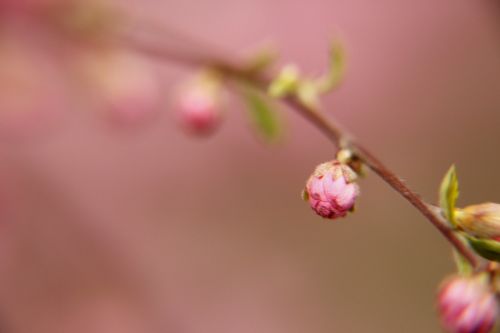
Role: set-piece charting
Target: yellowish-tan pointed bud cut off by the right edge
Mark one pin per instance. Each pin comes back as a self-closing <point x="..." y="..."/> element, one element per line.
<point x="481" y="221"/>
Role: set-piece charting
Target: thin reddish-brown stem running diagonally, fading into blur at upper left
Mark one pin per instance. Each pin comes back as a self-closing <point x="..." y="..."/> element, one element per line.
<point x="328" y="126"/>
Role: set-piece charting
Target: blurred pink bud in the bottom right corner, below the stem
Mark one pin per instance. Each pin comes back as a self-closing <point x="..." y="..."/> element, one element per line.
<point x="467" y="305"/>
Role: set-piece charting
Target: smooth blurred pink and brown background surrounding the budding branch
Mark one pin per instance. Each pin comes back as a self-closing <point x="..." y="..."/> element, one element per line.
<point x="150" y="230"/>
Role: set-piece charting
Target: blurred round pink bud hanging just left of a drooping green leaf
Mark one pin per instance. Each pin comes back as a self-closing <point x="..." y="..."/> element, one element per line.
<point x="200" y="105"/>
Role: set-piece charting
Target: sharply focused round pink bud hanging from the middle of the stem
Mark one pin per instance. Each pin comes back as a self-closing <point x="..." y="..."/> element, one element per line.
<point x="331" y="190"/>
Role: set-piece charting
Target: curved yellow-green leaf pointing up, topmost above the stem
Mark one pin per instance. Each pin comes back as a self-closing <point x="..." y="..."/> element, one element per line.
<point x="337" y="68"/>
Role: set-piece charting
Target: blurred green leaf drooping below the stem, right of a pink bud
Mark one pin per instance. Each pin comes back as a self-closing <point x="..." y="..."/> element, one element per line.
<point x="263" y="116"/>
